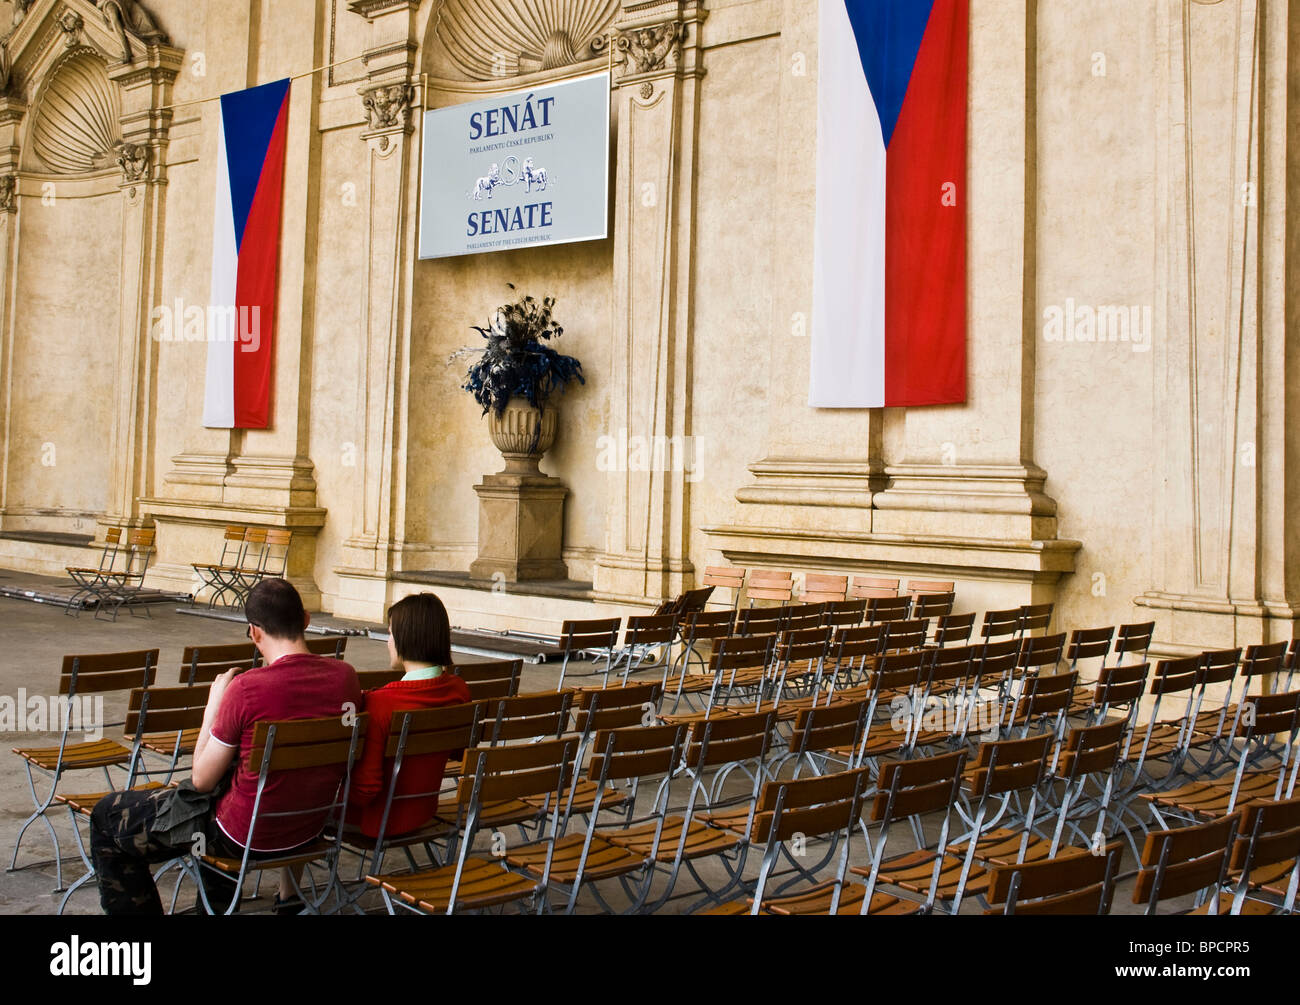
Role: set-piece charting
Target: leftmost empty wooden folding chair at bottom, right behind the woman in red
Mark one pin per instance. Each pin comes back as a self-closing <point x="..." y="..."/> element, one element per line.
<point x="493" y="776"/>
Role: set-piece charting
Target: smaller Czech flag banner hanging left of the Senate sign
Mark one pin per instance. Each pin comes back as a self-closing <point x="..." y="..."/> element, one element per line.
<point x="246" y="257"/>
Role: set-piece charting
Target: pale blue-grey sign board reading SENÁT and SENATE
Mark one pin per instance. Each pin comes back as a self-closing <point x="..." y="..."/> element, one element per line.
<point x="519" y="170"/>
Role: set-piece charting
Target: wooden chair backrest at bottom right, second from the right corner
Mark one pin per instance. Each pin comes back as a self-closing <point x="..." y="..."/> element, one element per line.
<point x="1185" y="861"/>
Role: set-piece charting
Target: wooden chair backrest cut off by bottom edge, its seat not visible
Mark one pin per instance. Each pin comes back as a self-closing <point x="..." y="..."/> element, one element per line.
<point x="1080" y="883"/>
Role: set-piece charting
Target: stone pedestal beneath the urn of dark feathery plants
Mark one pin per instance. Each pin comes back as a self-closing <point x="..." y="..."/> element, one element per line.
<point x="521" y="527"/>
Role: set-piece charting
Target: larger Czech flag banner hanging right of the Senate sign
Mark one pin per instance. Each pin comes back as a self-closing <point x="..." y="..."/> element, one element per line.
<point x="890" y="263"/>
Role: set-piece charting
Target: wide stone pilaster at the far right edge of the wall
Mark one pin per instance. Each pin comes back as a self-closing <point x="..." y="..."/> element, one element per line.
<point x="1225" y="570"/>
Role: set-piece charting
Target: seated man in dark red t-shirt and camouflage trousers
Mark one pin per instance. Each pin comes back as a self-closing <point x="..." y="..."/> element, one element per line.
<point x="293" y="685"/>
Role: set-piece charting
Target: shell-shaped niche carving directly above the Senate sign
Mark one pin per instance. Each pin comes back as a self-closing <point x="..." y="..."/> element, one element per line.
<point x="491" y="38"/>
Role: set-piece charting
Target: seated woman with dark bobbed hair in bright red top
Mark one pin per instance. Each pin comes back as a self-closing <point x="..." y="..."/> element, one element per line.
<point x="419" y="644"/>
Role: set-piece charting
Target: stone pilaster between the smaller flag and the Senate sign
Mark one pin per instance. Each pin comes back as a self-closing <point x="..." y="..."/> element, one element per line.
<point x="393" y="102"/>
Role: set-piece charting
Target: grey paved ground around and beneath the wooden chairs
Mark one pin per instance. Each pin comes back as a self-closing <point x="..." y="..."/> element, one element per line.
<point x="33" y="642"/>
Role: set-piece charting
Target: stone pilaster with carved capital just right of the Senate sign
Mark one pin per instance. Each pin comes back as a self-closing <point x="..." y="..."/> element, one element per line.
<point x="658" y="67"/>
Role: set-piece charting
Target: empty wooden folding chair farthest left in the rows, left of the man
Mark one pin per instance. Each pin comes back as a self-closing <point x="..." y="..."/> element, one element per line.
<point x="101" y="675"/>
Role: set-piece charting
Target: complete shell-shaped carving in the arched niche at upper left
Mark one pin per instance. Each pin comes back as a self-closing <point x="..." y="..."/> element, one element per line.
<point x="76" y="127"/>
